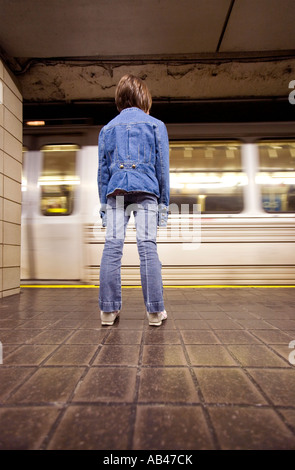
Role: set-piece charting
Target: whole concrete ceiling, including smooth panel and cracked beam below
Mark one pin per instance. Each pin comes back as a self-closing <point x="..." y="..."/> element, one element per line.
<point x="76" y="51"/>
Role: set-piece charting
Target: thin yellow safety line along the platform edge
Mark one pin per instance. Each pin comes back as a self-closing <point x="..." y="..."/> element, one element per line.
<point x="82" y="286"/>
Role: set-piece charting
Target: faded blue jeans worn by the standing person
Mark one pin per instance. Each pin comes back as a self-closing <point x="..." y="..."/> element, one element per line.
<point x="119" y="208"/>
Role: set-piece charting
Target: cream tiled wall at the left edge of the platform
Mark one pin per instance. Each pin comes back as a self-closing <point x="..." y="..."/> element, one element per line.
<point x="10" y="183"/>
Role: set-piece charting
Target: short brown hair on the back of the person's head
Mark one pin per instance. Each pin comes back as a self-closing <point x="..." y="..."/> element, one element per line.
<point x="131" y="92"/>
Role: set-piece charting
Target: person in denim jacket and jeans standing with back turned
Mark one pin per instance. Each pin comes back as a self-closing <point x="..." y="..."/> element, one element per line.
<point x="133" y="171"/>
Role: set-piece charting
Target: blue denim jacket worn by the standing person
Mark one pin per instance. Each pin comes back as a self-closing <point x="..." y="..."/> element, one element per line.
<point x="133" y="152"/>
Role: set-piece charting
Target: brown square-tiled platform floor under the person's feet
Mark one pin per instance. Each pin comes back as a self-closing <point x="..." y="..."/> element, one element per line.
<point x="216" y="375"/>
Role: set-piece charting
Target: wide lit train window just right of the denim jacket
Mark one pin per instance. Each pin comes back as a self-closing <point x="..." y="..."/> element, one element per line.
<point x="209" y="174"/>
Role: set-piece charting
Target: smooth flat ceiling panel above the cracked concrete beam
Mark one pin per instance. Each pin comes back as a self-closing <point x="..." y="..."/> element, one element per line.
<point x="79" y="28"/>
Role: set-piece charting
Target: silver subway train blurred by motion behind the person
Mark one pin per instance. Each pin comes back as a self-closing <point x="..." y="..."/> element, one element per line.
<point x="232" y="201"/>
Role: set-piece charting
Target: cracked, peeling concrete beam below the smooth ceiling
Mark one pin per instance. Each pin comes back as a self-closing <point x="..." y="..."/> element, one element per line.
<point x="49" y="81"/>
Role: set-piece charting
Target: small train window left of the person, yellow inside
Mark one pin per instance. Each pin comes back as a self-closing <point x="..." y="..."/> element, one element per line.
<point x="58" y="179"/>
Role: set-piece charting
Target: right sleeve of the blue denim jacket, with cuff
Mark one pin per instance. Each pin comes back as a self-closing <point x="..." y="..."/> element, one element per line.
<point x="162" y="173"/>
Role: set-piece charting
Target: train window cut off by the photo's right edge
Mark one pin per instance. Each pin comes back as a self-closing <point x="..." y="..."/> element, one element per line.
<point x="276" y="176"/>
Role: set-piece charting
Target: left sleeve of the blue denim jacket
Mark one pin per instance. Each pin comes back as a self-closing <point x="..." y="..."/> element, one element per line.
<point x="103" y="176"/>
